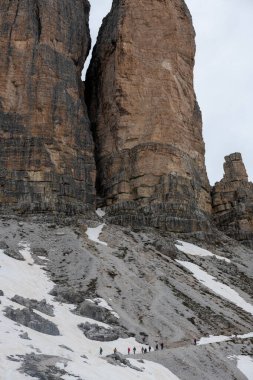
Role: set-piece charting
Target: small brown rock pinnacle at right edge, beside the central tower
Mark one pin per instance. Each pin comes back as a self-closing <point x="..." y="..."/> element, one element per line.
<point x="232" y="200"/>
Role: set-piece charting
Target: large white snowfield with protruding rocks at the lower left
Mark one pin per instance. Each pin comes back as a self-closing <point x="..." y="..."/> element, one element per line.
<point x="28" y="280"/>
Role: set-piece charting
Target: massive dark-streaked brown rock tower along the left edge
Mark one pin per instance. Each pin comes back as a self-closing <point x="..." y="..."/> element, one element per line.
<point x="46" y="161"/>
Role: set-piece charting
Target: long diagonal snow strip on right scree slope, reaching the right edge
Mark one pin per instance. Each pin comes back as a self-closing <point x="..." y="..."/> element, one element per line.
<point x="216" y="286"/>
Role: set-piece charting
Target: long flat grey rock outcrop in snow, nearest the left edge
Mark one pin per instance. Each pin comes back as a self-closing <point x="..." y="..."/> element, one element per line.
<point x="32" y="320"/>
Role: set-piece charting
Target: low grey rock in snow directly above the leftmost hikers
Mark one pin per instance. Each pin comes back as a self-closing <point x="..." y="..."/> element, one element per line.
<point x="99" y="333"/>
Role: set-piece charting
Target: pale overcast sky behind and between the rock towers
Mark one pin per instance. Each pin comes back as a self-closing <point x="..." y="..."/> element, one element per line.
<point x="223" y="76"/>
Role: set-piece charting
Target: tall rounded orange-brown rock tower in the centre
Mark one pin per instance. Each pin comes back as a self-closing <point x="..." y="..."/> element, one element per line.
<point x="146" y="121"/>
